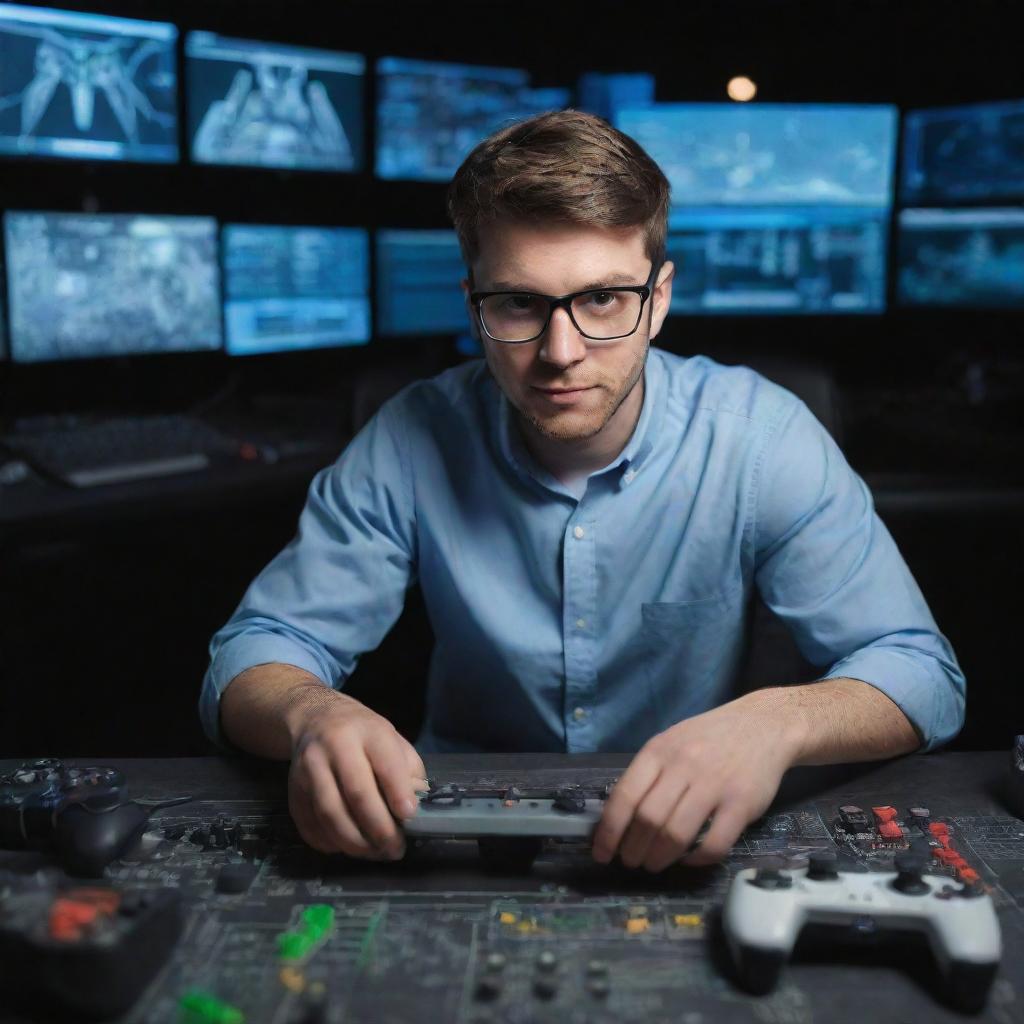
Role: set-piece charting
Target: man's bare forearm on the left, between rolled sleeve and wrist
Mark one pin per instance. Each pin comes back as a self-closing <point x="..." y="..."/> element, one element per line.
<point x="261" y="708"/>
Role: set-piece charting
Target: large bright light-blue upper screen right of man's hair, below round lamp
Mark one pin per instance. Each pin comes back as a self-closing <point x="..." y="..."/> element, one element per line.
<point x="766" y="155"/>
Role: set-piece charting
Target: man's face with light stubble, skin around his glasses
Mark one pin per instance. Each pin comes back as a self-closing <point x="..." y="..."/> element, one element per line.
<point x="567" y="390"/>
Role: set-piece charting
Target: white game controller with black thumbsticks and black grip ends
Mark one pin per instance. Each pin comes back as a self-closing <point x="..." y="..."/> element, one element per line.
<point x="766" y="910"/>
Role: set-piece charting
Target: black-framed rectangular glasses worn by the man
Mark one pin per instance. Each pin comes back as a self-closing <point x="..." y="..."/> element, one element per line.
<point x="601" y="315"/>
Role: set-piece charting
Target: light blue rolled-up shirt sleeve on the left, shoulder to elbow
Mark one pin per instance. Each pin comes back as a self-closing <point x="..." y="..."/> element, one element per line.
<point x="339" y="586"/>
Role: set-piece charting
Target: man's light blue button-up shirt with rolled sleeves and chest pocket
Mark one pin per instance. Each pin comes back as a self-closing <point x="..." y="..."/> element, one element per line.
<point x="591" y="618"/>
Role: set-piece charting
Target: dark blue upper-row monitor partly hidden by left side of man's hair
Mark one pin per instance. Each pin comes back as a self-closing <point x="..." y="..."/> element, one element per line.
<point x="431" y="115"/>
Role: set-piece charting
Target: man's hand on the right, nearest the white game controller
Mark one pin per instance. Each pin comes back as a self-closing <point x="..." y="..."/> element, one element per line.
<point x="726" y="765"/>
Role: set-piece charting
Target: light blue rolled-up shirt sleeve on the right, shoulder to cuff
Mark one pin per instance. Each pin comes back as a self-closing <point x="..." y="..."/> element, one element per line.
<point x="829" y="568"/>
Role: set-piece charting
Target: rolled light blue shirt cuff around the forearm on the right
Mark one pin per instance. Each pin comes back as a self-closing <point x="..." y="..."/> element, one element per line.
<point x="932" y="701"/>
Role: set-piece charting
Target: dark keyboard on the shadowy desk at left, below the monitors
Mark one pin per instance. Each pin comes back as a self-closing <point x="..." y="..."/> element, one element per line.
<point x="117" y="451"/>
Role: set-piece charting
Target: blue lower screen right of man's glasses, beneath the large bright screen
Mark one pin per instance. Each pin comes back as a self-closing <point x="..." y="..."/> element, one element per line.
<point x="795" y="261"/>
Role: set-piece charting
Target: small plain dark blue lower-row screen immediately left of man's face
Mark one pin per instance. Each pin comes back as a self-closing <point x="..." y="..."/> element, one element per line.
<point x="418" y="283"/>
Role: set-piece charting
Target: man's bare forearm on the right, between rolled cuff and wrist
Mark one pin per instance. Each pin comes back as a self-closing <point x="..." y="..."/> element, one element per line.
<point x="835" y="721"/>
